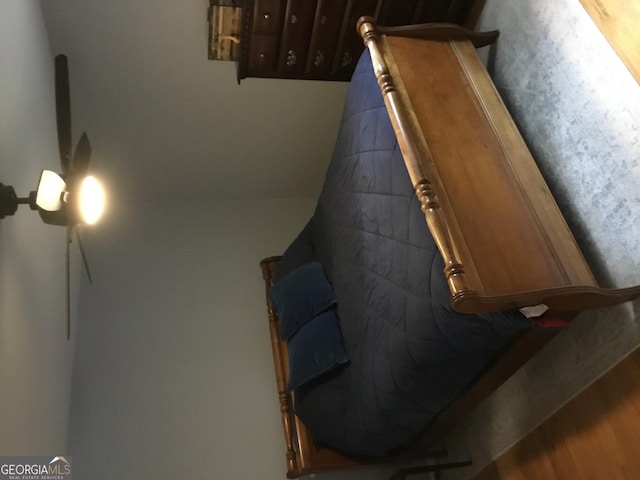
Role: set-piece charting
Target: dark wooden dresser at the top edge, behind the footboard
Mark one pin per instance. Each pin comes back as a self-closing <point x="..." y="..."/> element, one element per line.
<point x="317" y="39"/>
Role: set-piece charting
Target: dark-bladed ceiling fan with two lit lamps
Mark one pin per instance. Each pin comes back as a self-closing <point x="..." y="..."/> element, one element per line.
<point x="71" y="197"/>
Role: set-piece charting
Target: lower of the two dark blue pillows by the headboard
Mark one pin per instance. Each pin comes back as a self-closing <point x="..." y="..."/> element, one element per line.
<point x="316" y="349"/>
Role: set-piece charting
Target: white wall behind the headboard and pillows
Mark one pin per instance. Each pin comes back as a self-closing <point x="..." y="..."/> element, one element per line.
<point x="174" y="375"/>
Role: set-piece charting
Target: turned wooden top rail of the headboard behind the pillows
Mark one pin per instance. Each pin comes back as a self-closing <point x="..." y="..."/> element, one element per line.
<point x="268" y="266"/>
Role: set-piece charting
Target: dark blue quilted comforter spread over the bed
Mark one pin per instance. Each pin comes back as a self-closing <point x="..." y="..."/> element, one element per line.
<point x="411" y="355"/>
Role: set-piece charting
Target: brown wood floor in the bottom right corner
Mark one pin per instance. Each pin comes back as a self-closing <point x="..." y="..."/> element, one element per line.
<point x="595" y="436"/>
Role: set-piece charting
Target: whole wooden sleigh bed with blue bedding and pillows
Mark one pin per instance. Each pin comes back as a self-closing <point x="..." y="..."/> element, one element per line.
<point x="391" y="317"/>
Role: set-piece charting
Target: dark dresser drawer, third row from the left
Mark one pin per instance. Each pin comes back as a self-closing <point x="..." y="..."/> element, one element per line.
<point x="327" y="24"/>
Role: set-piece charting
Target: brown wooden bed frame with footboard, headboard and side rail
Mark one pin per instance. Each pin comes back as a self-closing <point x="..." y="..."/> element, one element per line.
<point x="504" y="241"/>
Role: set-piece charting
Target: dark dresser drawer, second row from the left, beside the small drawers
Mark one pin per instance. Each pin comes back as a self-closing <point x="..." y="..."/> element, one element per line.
<point x="298" y="21"/>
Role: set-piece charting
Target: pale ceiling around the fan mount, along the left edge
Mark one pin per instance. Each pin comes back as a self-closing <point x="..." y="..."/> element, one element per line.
<point x="35" y="357"/>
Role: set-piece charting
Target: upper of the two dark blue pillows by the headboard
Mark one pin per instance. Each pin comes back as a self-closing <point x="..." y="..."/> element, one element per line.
<point x="301" y="295"/>
